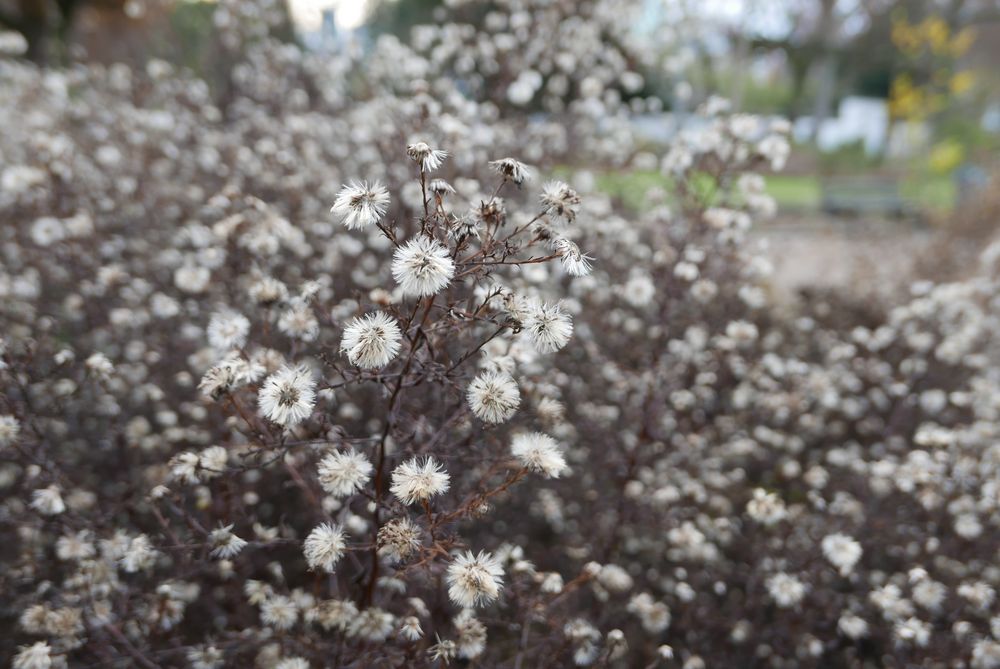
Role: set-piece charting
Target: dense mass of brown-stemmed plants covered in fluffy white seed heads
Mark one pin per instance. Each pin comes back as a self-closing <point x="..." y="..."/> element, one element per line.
<point x="468" y="414"/>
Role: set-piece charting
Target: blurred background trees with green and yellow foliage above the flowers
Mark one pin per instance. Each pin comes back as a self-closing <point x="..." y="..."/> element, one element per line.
<point x="797" y="58"/>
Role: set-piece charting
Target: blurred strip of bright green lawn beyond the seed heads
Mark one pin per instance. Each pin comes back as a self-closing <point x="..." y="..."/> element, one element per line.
<point x="792" y="192"/>
